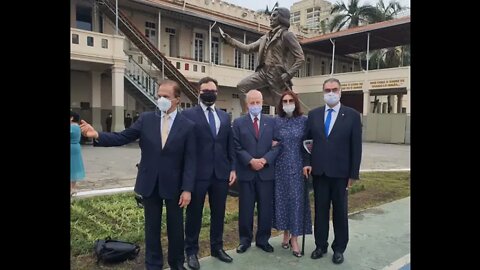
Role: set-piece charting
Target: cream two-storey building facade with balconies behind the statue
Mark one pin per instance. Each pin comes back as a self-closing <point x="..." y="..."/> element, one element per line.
<point x="107" y="68"/>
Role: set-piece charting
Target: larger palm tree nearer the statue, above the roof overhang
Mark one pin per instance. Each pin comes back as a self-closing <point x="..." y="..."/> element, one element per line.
<point x="353" y="14"/>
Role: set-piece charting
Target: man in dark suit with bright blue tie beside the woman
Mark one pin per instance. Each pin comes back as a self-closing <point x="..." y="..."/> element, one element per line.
<point x="336" y="131"/>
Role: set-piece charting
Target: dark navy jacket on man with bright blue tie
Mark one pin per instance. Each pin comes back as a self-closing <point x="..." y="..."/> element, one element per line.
<point x="340" y="154"/>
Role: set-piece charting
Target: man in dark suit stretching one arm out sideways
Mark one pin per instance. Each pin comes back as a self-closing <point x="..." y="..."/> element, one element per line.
<point x="166" y="171"/>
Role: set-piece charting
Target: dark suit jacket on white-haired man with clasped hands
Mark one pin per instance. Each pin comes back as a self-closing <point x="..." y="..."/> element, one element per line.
<point x="247" y="146"/>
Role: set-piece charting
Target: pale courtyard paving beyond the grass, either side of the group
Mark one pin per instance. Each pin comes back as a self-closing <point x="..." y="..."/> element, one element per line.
<point x="114" y="167"/>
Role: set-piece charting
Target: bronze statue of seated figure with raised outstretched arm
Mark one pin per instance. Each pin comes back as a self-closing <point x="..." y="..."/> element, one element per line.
<point x="273" y="50"/>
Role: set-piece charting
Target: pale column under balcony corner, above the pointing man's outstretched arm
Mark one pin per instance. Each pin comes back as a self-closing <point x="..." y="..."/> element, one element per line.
<point x="117" y="97"/>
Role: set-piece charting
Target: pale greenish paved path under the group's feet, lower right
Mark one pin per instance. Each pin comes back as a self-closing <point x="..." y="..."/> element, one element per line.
<point x="379" y="239"/>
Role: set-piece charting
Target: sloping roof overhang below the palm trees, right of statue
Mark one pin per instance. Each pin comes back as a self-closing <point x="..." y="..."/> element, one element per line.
<point x="382" y="35"/>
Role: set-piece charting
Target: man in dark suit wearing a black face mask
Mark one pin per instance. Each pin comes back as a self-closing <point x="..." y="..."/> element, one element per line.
<point x="215" y="172"/>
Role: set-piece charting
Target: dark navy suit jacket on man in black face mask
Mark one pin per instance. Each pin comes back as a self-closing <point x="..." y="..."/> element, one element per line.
<point x="215" y="155"/>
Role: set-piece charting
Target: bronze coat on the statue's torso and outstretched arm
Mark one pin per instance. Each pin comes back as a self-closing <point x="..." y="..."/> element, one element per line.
<point x="274" y="52"/>
